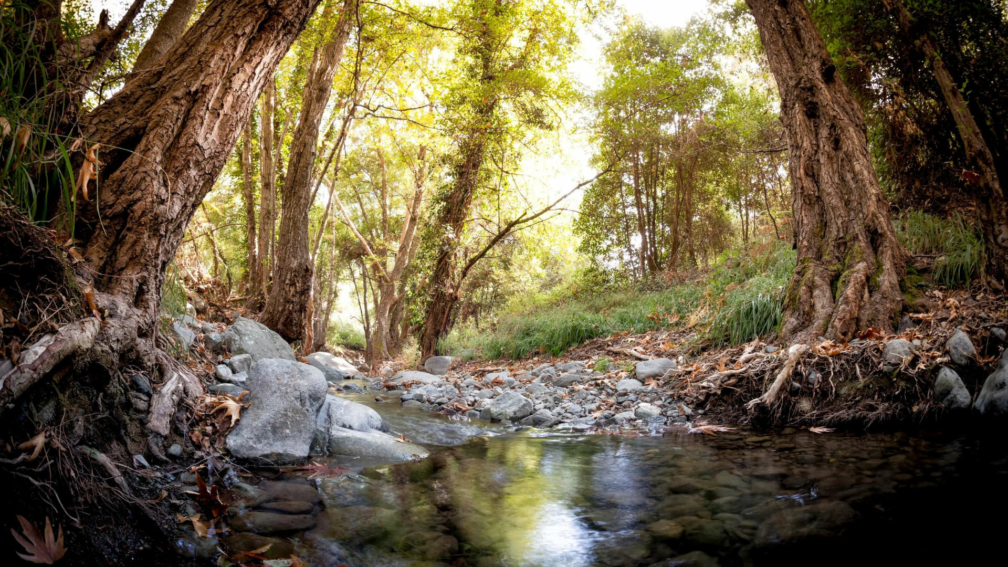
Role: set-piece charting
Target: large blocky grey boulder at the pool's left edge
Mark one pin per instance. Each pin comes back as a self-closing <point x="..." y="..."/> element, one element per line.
<point x="281" y="423"/>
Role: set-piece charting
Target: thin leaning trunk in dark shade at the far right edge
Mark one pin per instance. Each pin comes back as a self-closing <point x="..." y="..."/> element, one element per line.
<point x="990" y="193"/>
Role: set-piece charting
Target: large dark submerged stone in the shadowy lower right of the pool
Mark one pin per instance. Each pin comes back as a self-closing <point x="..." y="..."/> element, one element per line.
<point x="825" y="519"/>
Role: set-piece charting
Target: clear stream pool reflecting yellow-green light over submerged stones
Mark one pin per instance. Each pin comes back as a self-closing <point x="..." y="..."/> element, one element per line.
<point x="492" y="497"/>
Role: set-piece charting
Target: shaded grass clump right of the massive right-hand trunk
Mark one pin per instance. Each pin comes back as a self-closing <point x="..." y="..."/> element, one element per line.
<point x="959" y="250"/>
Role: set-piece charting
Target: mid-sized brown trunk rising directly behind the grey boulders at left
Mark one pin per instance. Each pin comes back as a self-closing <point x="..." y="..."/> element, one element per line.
<point x="289" y="300"/>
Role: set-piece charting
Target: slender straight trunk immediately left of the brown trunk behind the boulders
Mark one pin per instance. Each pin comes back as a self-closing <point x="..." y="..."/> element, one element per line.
<point x="268" y="191"/>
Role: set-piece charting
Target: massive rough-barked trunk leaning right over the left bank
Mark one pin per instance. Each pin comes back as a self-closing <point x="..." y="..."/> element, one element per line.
<point x="170" y="134"/>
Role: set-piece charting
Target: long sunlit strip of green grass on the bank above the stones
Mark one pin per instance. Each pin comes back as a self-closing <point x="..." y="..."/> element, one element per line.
<point x="736" y="302"/>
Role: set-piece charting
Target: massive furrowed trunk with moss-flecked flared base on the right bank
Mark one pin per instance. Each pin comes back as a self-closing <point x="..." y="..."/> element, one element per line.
<point x="850" y="263"/>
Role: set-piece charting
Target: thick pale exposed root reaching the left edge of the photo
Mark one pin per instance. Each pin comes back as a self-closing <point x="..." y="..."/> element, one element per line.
<point x="69" y="341"/>
